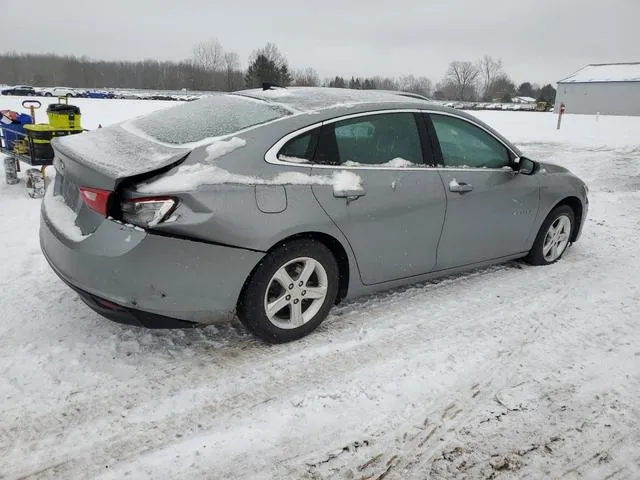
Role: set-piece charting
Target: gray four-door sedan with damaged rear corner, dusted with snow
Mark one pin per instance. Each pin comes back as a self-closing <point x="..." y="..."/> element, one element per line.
<point x="276" y="204"/>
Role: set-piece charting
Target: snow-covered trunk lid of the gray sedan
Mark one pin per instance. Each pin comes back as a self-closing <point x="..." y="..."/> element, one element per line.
<point x="117" y="152"/>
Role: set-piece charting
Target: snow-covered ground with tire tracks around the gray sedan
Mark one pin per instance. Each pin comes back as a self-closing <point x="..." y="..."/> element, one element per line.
<point x="508" y="372"/>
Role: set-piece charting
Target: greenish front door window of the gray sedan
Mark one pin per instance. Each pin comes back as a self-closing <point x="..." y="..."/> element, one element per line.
<point x="465" y="145"/>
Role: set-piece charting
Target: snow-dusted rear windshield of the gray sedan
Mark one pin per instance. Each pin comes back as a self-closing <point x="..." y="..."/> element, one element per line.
<point x="208" y="117"/>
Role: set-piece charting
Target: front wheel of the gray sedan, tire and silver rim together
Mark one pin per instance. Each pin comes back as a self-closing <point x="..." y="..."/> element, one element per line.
<point x="554" y="237"/>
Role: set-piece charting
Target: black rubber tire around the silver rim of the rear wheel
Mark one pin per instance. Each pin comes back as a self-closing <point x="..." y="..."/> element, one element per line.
<point x="251" y="306"/>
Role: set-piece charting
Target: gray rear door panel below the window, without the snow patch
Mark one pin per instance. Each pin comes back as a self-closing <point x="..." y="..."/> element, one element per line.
<point x="395" y="227"/>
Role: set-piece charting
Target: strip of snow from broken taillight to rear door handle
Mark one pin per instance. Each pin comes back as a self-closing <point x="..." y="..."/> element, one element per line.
<point x="190" y="177"/>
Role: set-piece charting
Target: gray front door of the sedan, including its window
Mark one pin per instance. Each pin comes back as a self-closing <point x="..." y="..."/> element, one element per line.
<point x="490" y="207"/>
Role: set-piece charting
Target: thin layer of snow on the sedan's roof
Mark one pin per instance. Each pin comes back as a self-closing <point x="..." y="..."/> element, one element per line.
<point x="309" y="99"/>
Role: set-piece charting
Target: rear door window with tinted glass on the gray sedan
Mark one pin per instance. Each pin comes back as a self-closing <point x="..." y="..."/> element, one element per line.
<point x="390" y="139"/>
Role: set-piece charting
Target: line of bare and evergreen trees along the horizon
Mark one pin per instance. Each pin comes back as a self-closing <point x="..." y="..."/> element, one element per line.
<point x="212" y="68"/>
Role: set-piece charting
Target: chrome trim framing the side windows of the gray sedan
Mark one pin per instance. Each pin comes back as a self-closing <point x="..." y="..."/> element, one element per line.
<point x="271" y="156"/>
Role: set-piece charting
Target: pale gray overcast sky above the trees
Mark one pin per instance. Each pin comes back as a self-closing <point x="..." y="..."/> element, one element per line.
<point x="538" y="40"/>
